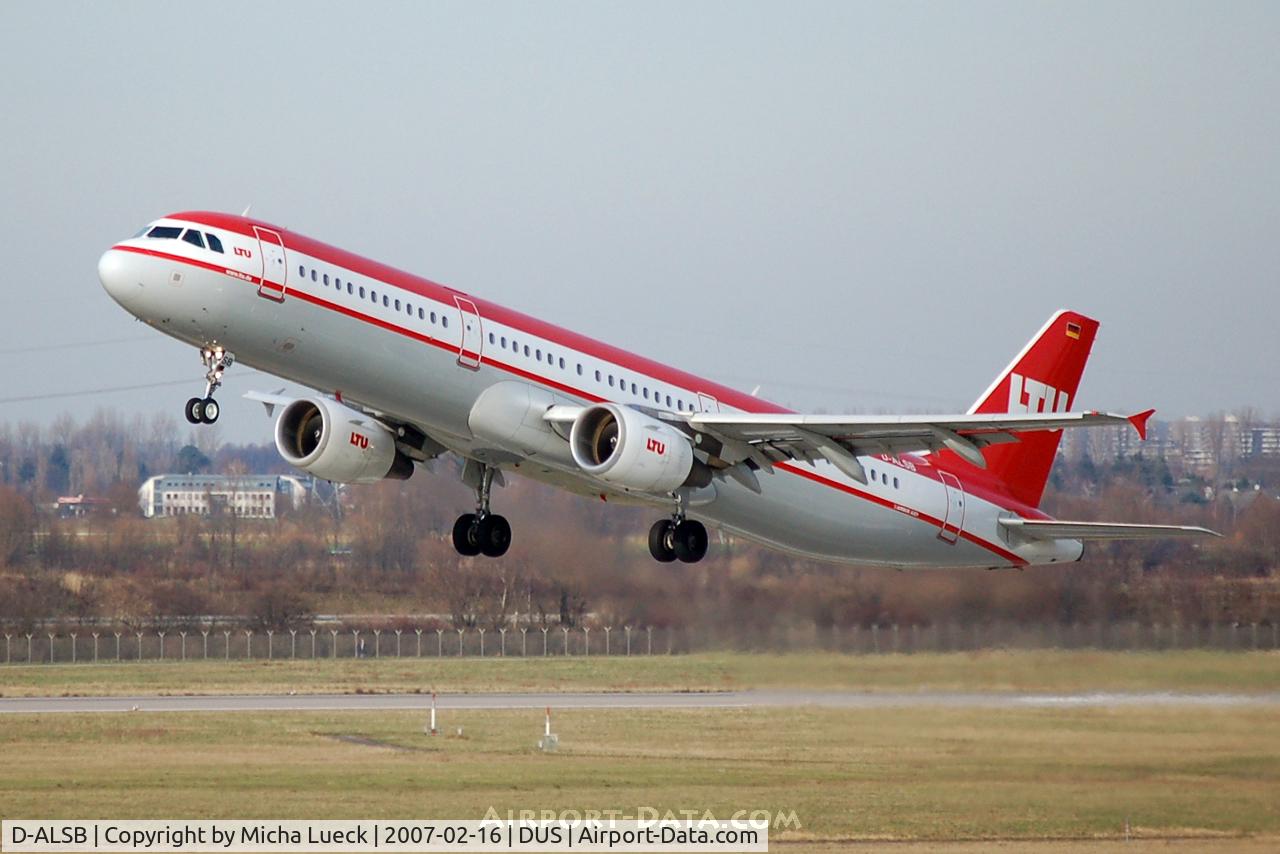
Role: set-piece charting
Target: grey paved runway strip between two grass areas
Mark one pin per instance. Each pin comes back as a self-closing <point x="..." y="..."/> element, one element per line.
<point x="620" y="701"/>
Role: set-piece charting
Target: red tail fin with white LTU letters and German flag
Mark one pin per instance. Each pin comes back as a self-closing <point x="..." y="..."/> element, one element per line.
<point x="1044" y="378"/>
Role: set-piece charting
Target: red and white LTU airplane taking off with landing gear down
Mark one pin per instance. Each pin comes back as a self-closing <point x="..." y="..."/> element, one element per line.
<point x="408" y="371"/>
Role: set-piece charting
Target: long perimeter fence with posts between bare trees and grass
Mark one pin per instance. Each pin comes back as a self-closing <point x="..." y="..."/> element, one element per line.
<point x="214" y="643"/>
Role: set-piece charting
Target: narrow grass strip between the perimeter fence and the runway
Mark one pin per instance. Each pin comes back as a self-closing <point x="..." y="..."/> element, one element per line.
<point x="982" y="672"/>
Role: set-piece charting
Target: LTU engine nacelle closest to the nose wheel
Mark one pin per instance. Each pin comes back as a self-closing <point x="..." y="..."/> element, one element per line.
<point x="339" y="444"/>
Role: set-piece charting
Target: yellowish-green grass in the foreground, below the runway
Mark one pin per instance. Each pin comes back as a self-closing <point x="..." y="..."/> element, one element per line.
<point x="926" y="775"/>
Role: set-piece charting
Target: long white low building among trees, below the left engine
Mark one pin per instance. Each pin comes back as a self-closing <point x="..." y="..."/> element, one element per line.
<point x="248" y="496"/>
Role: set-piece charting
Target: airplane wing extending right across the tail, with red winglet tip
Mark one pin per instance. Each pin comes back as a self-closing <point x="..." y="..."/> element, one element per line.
<point x="842" y="439"/>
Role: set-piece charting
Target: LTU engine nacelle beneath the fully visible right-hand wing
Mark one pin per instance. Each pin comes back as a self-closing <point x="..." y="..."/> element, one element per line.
<point x="630" y="450"/>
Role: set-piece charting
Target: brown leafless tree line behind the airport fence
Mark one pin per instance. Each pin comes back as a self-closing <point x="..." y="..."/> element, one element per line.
<point x="385" y="550"/>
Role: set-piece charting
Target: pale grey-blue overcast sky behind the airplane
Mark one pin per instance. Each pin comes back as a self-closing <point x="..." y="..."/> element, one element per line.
<point x="858" y="207"/>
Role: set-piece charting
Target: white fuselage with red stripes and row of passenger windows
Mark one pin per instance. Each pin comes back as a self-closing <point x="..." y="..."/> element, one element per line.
<point x="426" y="354"/>
